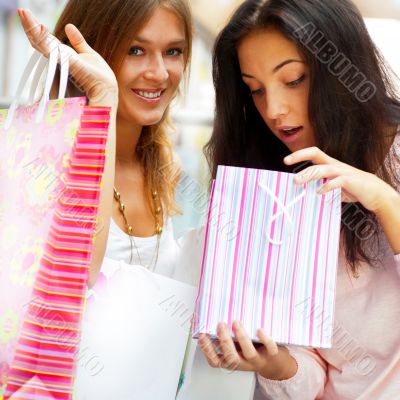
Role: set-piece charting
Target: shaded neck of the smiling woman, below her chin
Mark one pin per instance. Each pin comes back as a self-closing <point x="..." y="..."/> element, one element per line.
<point x="128" y="136"/>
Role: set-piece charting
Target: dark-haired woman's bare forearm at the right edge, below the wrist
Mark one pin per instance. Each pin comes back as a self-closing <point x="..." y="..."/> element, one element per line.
<point x="389" y="218"/>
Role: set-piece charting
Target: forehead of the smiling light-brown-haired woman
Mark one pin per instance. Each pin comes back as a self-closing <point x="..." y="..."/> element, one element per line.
<point x="163" y="23"/>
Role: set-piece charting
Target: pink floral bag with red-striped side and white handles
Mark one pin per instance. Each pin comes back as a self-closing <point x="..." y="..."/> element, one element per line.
<point x="52" y="157"/>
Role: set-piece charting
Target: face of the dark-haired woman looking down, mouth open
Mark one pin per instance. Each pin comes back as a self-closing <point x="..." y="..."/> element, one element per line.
<point x="273" y="69"/>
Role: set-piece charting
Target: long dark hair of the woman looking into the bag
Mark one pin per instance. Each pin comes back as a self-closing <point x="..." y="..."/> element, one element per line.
<point x="353" y="106"/>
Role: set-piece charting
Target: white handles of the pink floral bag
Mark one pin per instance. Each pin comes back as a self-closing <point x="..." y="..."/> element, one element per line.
<point x="39" y="62"/>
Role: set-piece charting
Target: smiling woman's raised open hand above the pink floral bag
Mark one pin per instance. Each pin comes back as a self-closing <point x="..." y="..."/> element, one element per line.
<point x="88" y="69"/>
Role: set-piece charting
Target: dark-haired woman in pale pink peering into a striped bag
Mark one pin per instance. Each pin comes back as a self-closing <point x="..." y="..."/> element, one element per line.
<point x="304" y="77"/>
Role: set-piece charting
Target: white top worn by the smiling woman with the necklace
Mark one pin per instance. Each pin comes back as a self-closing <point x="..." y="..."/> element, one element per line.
<point x="119" y="249"/>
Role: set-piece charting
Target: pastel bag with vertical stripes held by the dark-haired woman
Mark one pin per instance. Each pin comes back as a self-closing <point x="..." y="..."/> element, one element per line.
<point x="270" y="257"/>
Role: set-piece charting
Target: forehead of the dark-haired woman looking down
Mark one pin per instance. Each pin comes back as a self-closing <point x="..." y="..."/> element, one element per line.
<point x="266" y="48"/>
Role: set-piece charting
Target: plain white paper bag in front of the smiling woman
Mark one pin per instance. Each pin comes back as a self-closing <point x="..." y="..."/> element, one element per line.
<point x="134" y="335"/>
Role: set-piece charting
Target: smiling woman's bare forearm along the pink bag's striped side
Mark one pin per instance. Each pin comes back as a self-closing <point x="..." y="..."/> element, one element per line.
<point x="106" y="195"/>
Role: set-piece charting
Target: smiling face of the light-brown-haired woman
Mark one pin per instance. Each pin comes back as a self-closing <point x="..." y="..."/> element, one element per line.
<point x="152" y="70"/>
